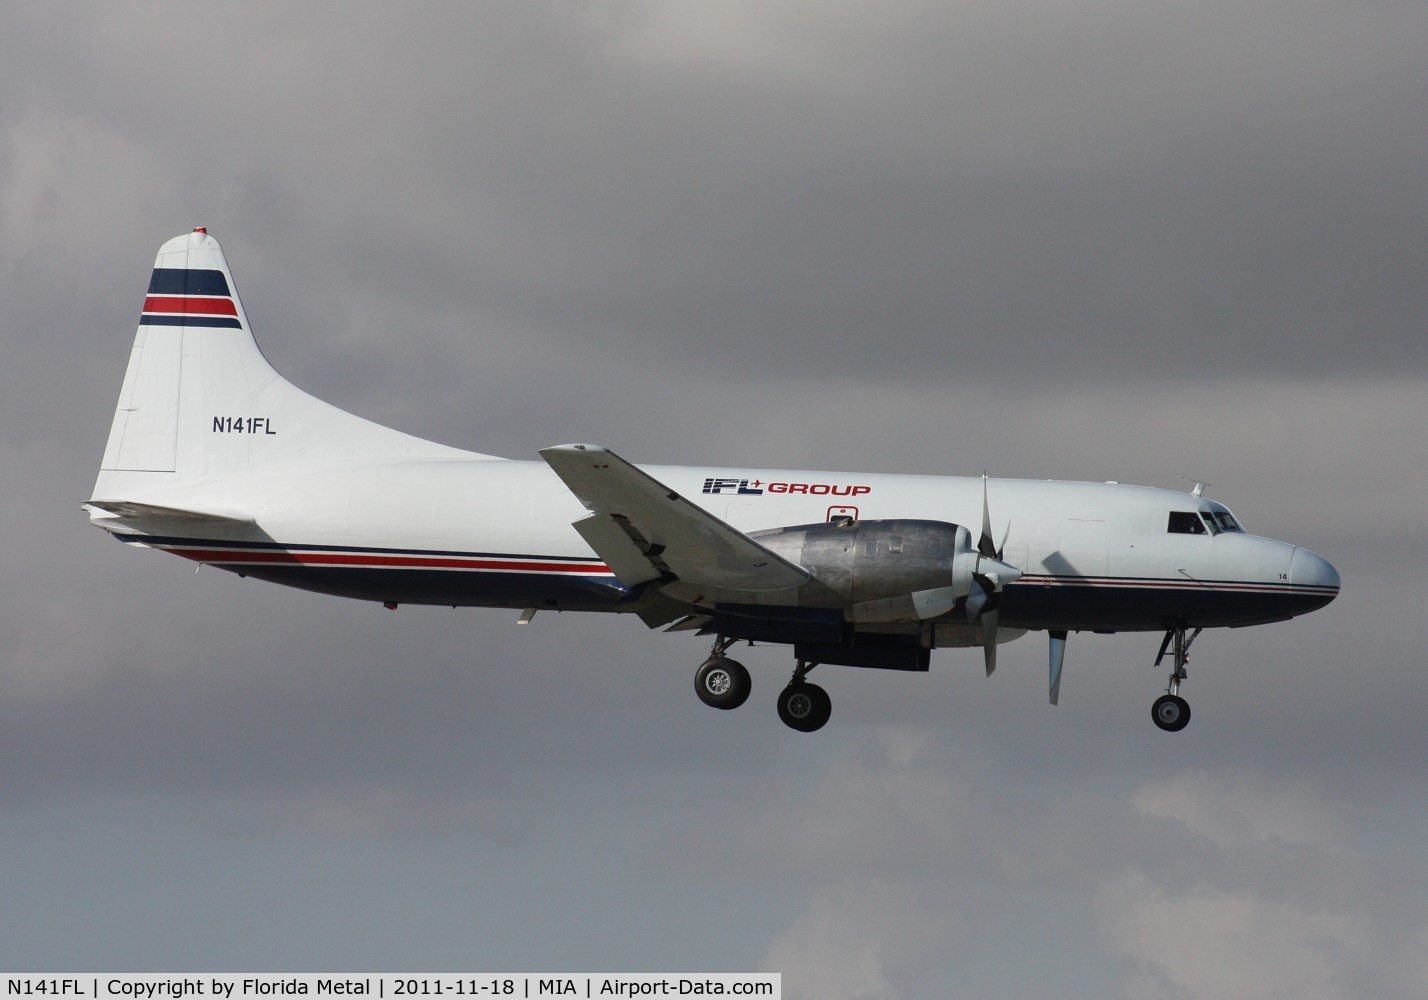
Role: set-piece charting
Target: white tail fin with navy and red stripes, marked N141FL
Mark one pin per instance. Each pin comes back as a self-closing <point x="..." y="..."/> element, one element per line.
<point x="201" y="401"/>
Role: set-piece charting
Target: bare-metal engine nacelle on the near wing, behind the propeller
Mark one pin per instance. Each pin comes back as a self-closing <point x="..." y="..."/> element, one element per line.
<point x="868" y="562"/>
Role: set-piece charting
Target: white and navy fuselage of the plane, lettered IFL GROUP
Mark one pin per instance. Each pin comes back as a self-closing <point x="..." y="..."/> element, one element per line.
<point x="488" y="532"/>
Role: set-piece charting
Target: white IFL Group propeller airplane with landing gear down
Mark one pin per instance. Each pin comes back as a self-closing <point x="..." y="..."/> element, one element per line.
<point x="216" y="458"/>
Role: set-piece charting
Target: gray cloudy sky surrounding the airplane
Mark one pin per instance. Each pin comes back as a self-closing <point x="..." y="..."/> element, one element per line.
<point x="1097" y="241"/>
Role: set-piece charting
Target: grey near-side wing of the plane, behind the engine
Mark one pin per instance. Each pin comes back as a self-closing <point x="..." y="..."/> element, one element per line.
<point x="645" y="531"/>
